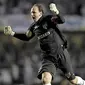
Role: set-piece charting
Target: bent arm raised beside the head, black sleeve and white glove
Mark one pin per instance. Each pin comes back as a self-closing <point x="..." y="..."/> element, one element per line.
<point x="57" y="18"/>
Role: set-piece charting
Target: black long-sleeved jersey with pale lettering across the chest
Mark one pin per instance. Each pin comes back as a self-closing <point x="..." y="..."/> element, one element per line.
<point x="48" y="34"/>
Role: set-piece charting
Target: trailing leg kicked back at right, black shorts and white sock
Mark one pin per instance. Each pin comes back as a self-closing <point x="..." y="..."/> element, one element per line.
<point x="66" y="67"/>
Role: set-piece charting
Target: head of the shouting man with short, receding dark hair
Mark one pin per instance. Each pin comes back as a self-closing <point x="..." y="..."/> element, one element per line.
<point x="36" y="12"/>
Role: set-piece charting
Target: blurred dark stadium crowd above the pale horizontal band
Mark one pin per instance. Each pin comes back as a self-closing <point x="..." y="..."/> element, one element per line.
<point x="23" y="6"/>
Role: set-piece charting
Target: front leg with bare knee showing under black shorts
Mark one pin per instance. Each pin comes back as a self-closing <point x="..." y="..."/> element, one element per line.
<point x="47" y="72"/>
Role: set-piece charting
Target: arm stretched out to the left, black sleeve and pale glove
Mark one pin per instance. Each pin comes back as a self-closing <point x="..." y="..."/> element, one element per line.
<point x="22" y="36"/>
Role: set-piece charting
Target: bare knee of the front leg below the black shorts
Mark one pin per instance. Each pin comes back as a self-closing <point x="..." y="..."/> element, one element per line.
<point x="46" y="77"/>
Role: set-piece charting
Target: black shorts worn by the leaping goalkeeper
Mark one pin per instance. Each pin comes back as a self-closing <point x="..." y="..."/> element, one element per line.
<point x="61" y="61"/>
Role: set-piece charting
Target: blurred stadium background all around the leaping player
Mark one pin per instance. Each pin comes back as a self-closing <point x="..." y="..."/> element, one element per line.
<point x="19" y="61"/>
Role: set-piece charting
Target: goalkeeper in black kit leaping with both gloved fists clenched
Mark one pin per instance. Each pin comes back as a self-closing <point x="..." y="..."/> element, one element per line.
<point x="52" y="43"/>
